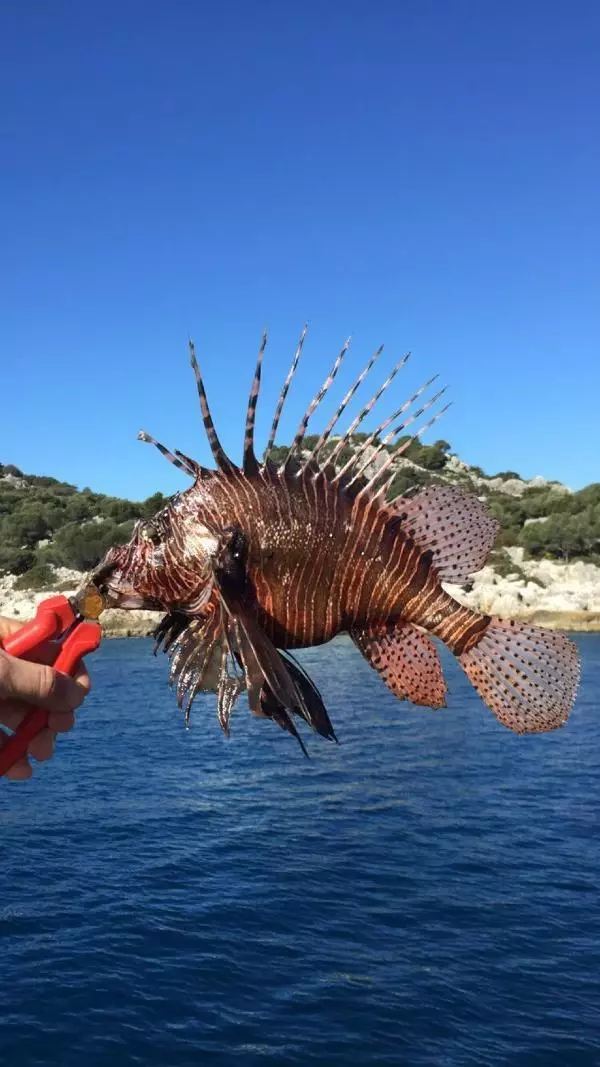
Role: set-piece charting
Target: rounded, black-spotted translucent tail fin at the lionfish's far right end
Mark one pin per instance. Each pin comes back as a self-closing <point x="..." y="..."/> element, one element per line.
<point x="527" y="676"/>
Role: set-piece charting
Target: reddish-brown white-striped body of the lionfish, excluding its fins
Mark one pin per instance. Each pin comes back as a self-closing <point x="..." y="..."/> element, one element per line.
<point x="321" y="562"/>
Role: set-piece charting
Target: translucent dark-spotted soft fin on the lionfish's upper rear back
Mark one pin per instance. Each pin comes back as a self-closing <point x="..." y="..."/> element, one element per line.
<point x="454" y="525"/>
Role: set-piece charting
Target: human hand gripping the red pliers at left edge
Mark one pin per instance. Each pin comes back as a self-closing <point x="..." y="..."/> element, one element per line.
<point x="25" y="686"/>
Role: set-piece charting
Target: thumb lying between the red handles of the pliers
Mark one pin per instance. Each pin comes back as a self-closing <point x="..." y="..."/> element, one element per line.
<point x="39" y="686"/>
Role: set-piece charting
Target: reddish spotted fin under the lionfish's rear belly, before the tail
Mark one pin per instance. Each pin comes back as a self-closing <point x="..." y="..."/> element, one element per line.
<point x="407" y="661"/>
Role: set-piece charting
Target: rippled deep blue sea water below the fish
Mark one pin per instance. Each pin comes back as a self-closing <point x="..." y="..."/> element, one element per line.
<point x="425" y="894"/>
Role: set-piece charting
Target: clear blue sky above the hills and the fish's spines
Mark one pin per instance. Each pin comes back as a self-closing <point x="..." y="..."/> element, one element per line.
<point x="420" y="174"/>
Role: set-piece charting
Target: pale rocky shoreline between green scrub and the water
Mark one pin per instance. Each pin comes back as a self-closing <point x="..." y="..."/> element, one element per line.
<point x="547" y="594"/>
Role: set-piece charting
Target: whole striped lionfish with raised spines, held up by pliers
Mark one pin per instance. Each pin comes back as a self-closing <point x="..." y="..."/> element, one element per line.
<point x="256" y="561"/>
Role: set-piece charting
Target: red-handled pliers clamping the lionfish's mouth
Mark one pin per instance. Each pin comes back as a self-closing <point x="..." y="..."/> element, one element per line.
<point x="73" y="627"/>
